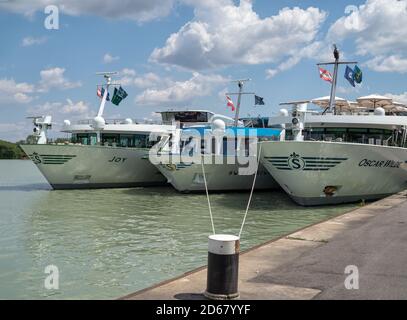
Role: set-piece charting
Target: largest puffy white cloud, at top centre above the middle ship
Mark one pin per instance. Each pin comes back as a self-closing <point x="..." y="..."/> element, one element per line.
<point x="223" y="34"/>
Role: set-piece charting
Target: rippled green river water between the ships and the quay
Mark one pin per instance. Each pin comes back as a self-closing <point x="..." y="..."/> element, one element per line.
<point x="108" y="243"/>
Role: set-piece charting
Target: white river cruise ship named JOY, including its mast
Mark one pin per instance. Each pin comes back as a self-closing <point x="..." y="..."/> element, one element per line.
<point x="105" y="153"/>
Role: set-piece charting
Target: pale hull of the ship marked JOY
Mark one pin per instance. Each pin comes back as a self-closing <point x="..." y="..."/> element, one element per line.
<point x="88" y="167"/>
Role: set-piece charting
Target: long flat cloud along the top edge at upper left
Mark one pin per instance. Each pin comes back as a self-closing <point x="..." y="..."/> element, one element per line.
<point x="138" y="10"/>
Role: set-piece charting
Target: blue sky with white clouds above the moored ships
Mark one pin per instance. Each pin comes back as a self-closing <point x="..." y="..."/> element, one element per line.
<point x="183" y="53"/>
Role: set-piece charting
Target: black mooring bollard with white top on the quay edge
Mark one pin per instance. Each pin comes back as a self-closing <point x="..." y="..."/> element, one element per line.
<point x="223" y="267"/>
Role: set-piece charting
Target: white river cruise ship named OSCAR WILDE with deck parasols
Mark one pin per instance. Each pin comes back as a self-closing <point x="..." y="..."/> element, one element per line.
<point x="357" y="153"/>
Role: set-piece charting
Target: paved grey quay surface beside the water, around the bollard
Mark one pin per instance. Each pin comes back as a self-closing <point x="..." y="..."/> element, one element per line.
<point x="310" y="263"/>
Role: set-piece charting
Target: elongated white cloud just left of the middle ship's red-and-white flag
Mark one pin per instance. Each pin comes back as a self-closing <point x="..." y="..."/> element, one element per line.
<point x="181" y="91"/>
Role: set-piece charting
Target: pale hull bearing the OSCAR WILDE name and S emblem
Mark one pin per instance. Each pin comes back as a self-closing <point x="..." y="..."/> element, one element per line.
<point x="317" y="173"/>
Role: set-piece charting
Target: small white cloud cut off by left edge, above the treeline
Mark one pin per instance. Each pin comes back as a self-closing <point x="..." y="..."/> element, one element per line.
<point x="11" y="91"/>
